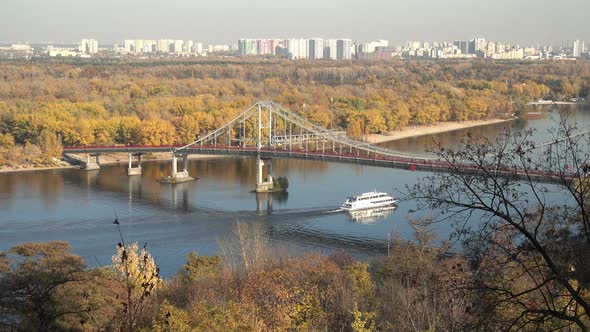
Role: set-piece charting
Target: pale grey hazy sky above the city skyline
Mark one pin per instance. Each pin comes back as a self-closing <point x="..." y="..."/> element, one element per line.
<point x="225" y="21"/>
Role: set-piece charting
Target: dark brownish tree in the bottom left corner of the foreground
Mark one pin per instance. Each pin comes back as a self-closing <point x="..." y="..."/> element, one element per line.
<point x="35" y="280"/>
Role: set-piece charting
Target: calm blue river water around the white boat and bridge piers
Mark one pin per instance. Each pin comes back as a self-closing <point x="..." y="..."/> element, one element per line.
<point x="79" y="206"/>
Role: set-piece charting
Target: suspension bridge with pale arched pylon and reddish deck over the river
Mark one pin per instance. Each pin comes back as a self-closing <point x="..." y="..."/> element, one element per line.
<point x="267" y="130"/>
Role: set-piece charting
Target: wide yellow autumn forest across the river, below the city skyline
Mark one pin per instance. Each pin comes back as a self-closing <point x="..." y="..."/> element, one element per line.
<point x="49" y="104"/>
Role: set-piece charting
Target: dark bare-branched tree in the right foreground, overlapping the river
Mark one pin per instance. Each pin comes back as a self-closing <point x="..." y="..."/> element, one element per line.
<point x="530" y="250"/>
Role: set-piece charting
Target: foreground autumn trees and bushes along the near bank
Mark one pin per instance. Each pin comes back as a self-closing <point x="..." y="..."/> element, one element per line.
<point x="251" y="286"/>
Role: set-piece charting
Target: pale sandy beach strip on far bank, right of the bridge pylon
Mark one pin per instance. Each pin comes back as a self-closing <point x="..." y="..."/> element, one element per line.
<point x="440" y="127"/>
